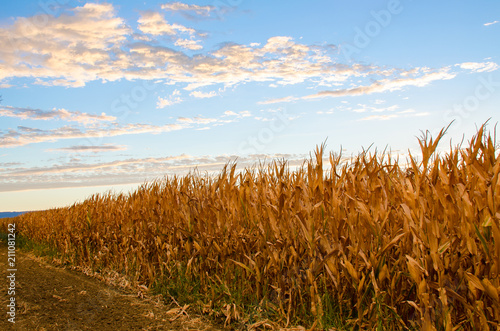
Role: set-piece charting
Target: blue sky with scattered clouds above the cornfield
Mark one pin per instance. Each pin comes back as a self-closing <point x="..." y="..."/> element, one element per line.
<point x="106" y="95"/>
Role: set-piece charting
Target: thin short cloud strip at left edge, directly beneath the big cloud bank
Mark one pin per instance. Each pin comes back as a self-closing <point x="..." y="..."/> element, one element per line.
<point x="62" y="114"/>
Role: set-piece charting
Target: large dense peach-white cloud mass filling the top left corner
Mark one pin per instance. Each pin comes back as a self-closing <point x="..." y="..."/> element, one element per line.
<point x="71" y="49"/>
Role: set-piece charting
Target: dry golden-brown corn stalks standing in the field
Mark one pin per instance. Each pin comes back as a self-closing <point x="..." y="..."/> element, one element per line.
<point x="366" y="244"/>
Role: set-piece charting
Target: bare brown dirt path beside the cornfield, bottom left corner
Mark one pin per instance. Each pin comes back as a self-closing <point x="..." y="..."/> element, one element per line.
<point x="53" y="298"/>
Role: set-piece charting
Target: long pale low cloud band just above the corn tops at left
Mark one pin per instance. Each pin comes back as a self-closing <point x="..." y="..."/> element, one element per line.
<point x="78" y="173"/>
